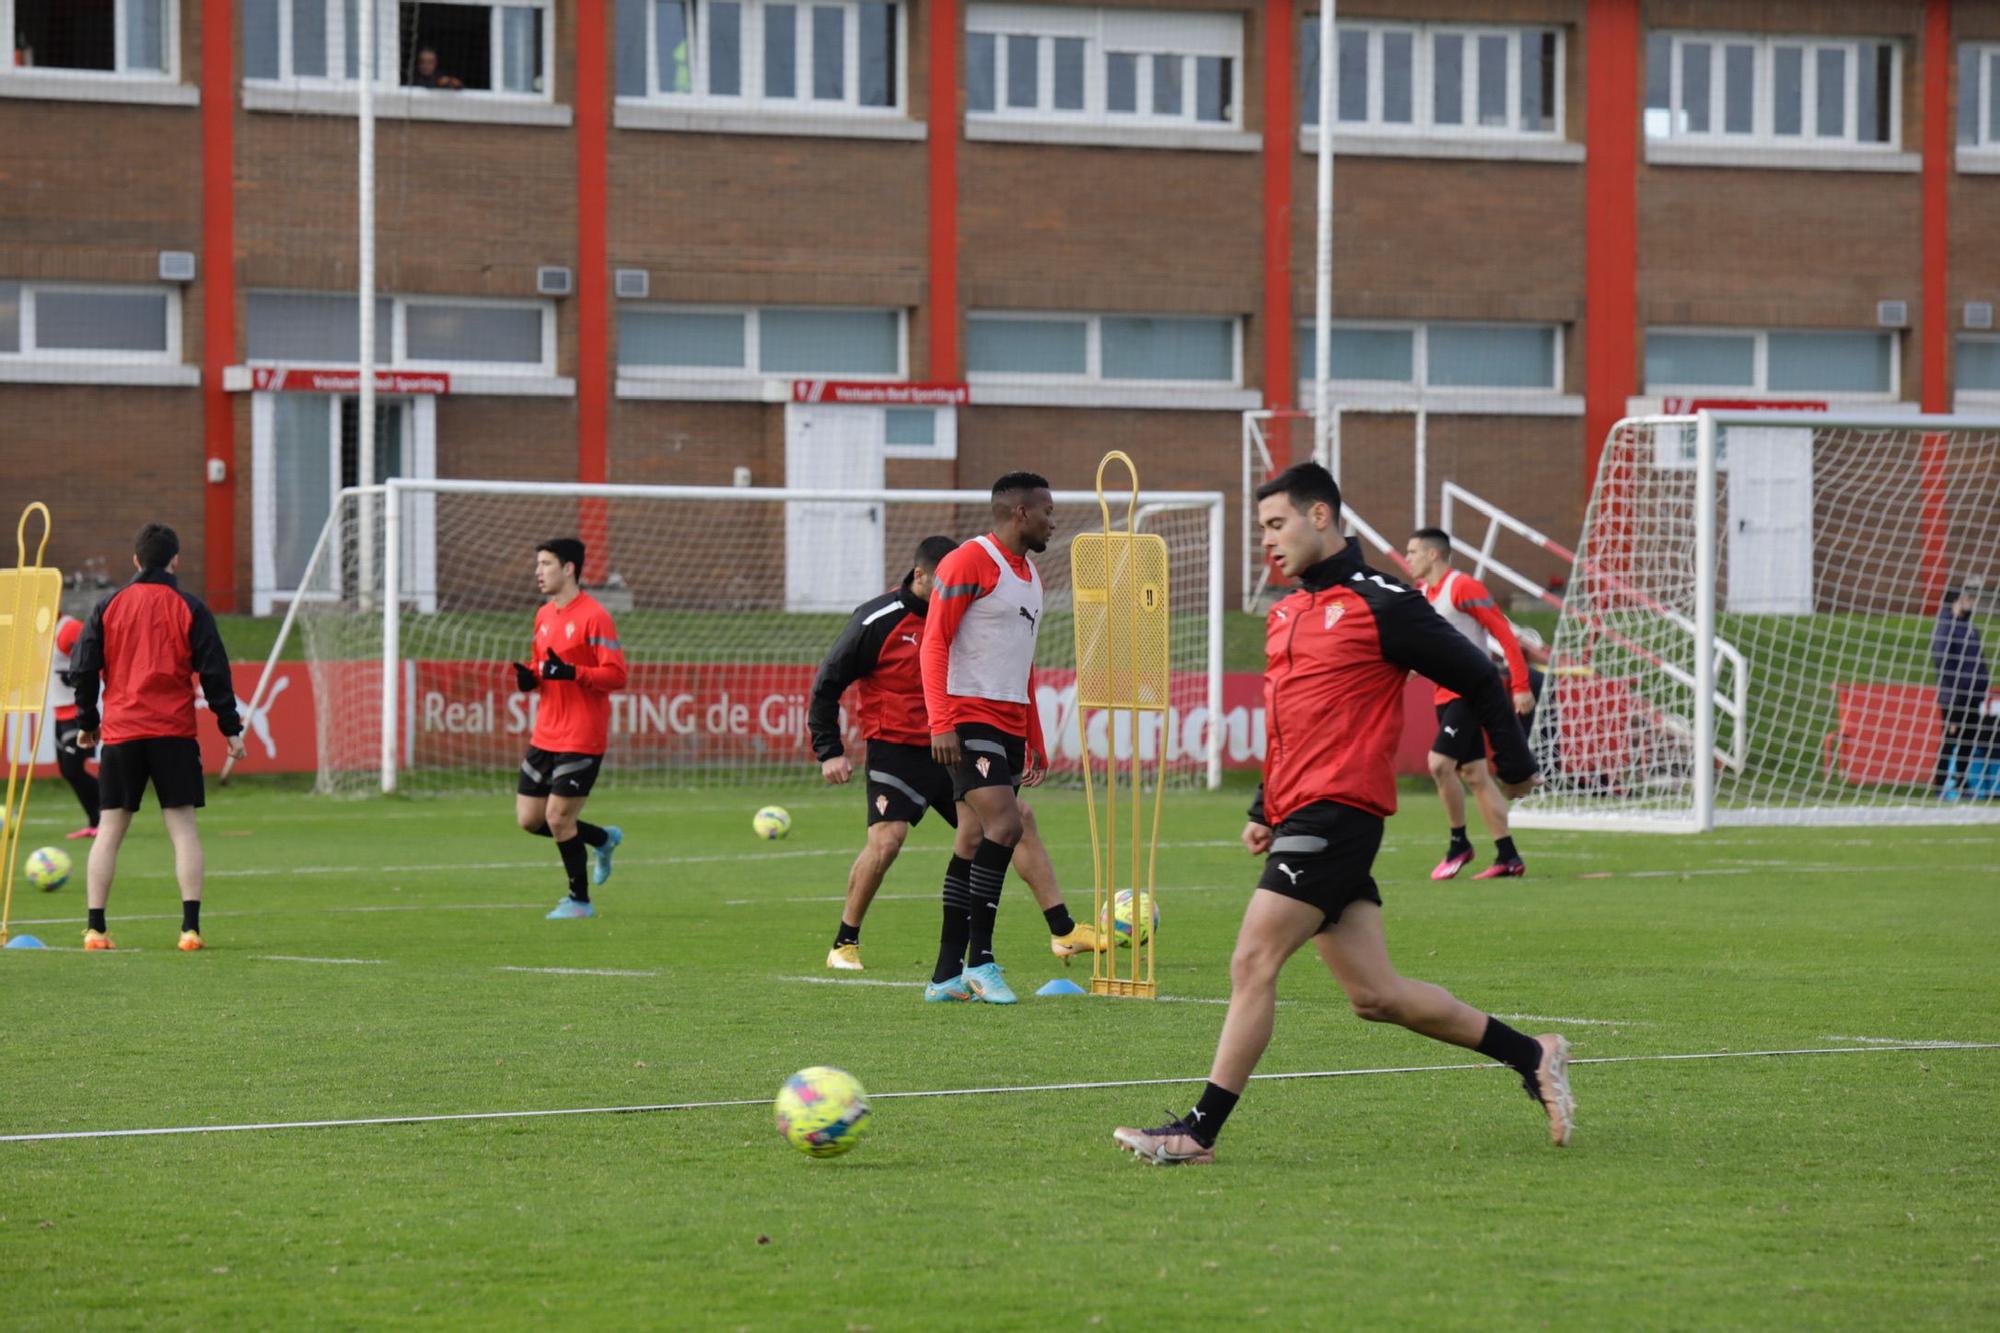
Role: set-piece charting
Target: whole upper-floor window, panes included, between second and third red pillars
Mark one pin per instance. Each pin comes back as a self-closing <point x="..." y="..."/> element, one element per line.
<point x="815" y="57"/>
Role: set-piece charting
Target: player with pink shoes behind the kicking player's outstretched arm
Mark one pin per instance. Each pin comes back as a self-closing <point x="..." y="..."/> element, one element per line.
<point x="1459" y="750"/>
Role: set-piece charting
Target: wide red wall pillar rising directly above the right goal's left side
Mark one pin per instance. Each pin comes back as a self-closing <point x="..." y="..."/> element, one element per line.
<point x="1611" y="219"/>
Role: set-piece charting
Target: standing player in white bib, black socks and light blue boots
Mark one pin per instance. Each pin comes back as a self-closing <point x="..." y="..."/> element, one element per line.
<point x="979" y="694"/>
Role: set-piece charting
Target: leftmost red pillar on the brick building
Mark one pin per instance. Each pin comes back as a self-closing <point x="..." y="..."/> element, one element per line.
<point x="219" y="301"/>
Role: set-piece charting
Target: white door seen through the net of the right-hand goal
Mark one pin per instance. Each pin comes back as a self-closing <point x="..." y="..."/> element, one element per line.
<point x="1771" y="521"/>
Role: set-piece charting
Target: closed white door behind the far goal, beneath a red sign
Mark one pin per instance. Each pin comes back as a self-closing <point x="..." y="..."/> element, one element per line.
<point x="833" y="553"/>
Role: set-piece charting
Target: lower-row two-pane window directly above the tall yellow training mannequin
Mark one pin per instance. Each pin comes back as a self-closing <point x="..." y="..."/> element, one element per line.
<point x="1103" y="349"/>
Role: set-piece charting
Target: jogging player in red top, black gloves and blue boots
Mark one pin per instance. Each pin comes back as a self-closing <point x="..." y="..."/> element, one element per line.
<point x="577" y="665"/>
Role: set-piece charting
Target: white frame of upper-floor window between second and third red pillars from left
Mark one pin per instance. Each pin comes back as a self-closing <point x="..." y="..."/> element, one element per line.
<point x="753" y="97"/>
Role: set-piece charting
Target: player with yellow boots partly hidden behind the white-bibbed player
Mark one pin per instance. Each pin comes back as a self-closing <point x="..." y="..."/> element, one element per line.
<point x="879" y="653"/>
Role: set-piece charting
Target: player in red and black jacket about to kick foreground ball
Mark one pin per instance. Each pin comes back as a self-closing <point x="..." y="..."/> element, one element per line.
<point x="1337" y="655"/>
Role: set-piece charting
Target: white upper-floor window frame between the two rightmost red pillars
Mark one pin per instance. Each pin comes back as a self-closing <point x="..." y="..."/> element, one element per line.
<point x="1765" y="101"/>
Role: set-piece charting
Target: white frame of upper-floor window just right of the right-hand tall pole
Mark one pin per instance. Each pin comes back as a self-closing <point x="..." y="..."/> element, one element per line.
<point x="1423" y="83"/>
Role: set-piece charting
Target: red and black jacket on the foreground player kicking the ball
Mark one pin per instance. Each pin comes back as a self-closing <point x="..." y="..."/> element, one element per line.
<point x="1335" y="661"/>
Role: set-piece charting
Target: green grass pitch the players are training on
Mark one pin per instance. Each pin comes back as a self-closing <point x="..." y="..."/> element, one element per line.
<point x="1791" y="1192"/>
